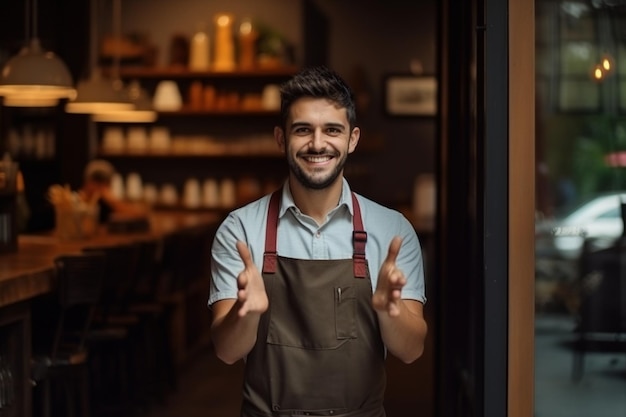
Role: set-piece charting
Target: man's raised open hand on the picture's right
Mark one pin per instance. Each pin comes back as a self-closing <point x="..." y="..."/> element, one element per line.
<point x="391" y="280"/>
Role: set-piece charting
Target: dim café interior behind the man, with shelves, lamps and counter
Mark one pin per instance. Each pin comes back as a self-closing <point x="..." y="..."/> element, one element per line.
<point x="199" y="144"/>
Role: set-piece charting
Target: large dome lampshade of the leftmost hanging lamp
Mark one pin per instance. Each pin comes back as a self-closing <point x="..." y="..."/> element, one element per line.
<point x="34" y="73"/>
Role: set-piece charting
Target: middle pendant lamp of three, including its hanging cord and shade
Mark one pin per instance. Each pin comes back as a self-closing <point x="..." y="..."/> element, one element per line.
<point x="98" y="93"/>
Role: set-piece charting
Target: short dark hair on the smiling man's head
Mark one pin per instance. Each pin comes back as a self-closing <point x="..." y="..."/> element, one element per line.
<point x="317" y="82"/>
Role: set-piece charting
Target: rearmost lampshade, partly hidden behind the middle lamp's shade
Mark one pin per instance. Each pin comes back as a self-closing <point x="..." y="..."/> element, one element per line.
<point x="142" y="111"/>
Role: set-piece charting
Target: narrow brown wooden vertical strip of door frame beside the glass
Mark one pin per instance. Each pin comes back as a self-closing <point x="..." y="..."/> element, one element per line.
<point x="521" y="181"/>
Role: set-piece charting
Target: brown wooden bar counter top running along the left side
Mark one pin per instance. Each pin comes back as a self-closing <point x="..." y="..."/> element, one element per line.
<point x="29" y="271"/>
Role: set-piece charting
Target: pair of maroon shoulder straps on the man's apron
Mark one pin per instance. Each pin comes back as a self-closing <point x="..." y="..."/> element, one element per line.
<point x="359" y="237"/>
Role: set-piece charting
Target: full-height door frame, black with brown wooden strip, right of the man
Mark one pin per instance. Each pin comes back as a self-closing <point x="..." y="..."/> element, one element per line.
<point x="485" y="240"/>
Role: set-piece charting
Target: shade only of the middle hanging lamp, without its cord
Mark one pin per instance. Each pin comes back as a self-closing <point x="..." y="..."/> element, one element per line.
<point x="98" y="94"/>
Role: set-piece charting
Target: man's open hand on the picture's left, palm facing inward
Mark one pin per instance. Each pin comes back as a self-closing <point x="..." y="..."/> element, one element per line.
<point x="251" y="294"/>
